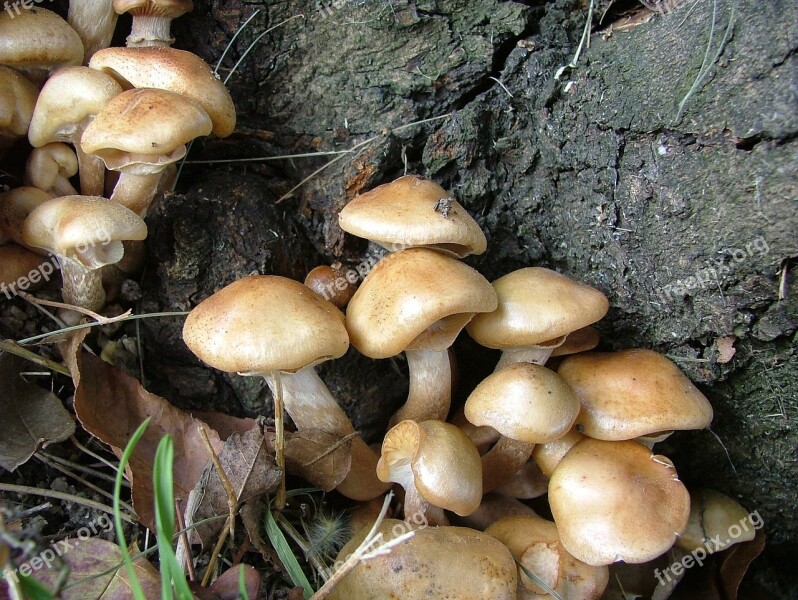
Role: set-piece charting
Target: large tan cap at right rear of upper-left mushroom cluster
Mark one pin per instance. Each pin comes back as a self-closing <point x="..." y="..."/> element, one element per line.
<point x="173" y="70"/>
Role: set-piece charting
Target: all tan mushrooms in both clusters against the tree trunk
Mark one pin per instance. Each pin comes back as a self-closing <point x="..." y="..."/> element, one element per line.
<point x="580" y="431"/>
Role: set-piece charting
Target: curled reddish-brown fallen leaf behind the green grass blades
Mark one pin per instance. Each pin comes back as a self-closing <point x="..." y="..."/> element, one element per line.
<point x="111" y="404"/>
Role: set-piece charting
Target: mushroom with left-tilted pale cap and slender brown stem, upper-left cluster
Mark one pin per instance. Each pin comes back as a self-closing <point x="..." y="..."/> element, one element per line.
<point x="68" y="102"/>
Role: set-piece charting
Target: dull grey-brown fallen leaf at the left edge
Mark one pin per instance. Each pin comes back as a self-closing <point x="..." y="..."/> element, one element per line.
<point x="32" y="416"/>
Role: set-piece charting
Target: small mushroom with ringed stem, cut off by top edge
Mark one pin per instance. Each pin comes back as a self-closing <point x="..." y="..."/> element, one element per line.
<point x="152" y="19"/>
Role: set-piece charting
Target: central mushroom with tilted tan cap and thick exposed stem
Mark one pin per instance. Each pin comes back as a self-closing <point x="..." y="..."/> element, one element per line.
<point x="417" y="301"/>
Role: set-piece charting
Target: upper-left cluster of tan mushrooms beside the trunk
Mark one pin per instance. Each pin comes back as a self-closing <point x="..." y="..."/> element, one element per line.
<point x="86" y="109"/>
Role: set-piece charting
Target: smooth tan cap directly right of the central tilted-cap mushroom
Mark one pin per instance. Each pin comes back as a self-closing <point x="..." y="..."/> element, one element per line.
<point x="537" y="305"/>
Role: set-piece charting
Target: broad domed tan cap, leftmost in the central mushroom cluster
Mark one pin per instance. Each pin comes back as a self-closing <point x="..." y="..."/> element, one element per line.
<point x="265" y="323"/>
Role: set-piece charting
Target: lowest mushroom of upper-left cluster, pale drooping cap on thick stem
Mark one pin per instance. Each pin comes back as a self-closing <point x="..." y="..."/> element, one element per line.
<point x="84" y="233"/>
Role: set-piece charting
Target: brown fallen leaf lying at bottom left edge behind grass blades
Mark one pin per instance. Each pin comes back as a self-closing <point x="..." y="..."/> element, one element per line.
<point x="88" y="559"/>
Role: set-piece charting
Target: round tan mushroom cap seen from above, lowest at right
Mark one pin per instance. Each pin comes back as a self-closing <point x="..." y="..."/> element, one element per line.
<point x="617" y="501"/>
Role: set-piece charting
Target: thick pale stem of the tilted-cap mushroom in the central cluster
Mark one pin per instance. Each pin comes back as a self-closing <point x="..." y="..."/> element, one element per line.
<point x="430" y="387"/>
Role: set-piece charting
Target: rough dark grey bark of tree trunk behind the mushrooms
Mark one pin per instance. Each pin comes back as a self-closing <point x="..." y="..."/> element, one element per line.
<point x="676" y="199"/>
